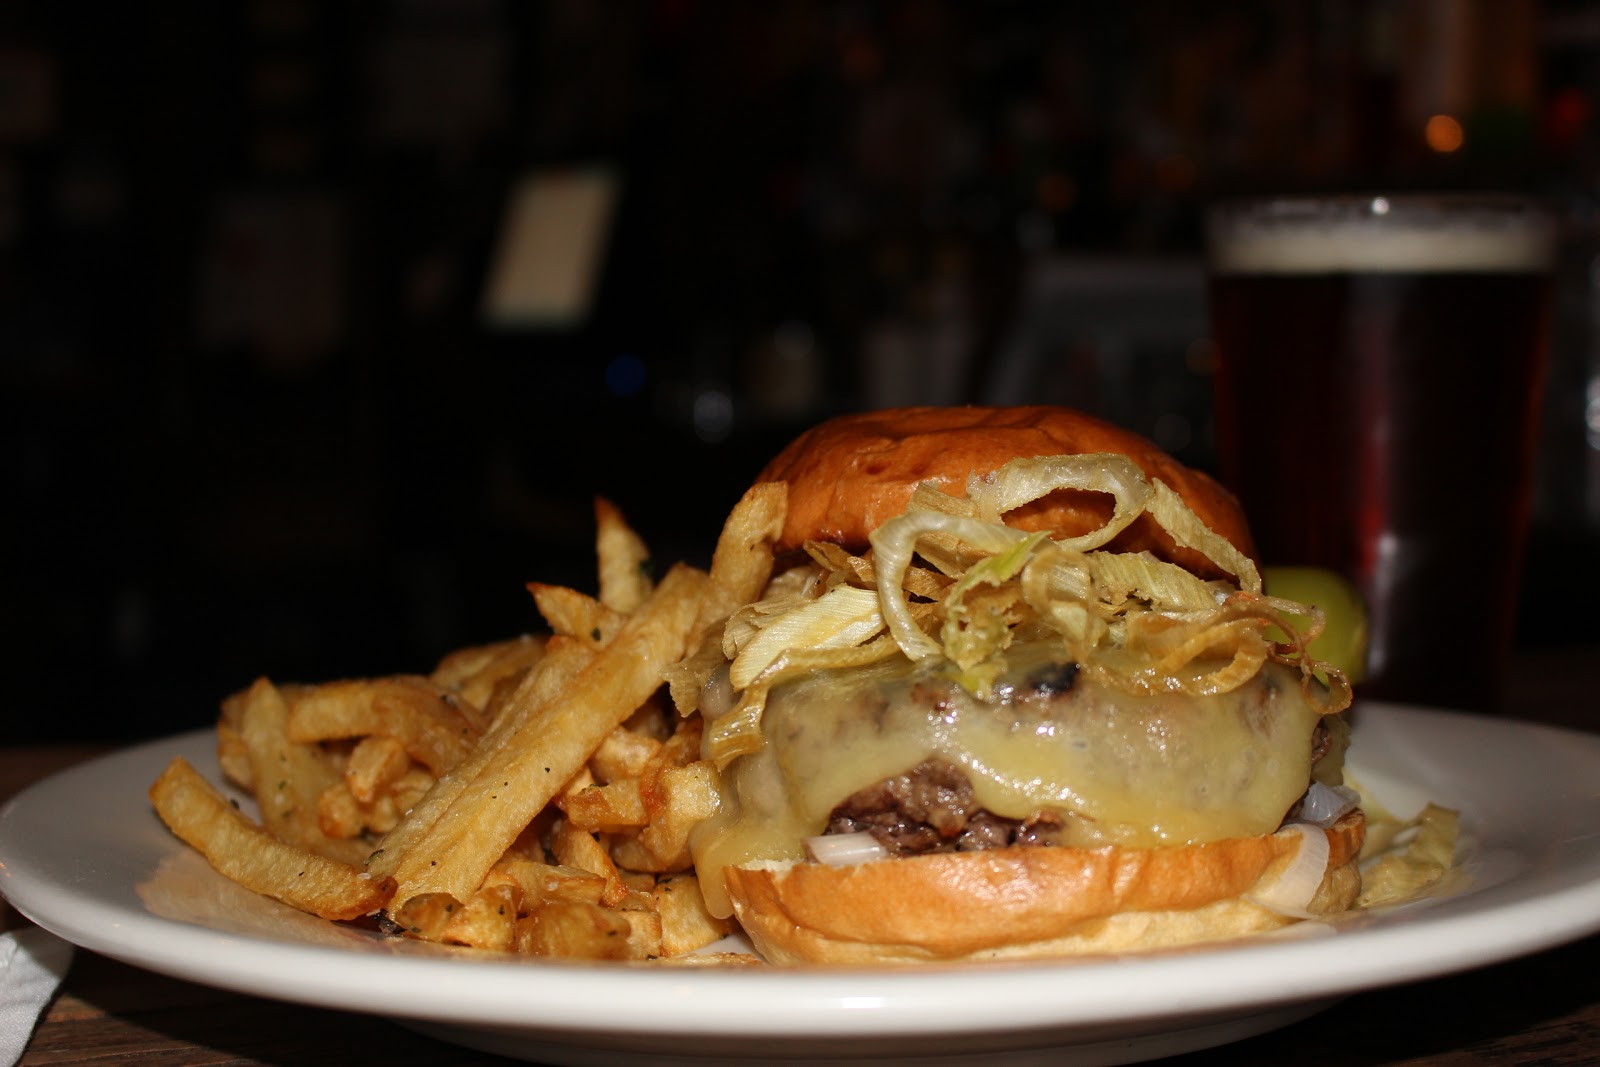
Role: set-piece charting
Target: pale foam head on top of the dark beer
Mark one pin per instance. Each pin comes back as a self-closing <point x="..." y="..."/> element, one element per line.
<point x="1382" y="234"/>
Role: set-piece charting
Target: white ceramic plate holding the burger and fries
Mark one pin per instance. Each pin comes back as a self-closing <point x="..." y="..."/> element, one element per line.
<point x="82" y="855"/>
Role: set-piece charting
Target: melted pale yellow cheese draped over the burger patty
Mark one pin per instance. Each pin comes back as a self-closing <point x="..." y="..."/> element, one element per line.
<point x="1121" y="770"/>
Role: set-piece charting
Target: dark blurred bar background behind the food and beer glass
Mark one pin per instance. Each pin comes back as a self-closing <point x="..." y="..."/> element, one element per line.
<point x="270" y="410"/>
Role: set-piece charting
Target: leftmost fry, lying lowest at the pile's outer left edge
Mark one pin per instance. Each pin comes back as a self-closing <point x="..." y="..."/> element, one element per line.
<point x="258" y="860"/>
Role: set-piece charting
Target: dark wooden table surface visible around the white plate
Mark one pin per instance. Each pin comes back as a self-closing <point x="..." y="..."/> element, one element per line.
<point x="1542" y="1010"/>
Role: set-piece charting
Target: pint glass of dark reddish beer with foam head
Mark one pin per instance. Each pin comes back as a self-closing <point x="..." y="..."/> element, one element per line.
<point x="1380" y="369"/>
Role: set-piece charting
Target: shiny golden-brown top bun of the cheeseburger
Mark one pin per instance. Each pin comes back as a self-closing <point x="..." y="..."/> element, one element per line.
<point x="854" y="473"/>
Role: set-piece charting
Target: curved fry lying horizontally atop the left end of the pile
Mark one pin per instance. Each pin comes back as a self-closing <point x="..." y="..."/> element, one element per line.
<point x="423" y="717"/>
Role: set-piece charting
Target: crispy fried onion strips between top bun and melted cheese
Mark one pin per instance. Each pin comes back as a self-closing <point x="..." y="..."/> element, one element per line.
<point x="1132" y="621"/>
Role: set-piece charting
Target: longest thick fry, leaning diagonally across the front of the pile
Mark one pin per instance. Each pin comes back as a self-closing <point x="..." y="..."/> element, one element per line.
<point x="551" y="746"/>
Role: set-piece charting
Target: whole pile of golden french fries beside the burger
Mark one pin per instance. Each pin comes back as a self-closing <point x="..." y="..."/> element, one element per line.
<point x="532" y="796"/>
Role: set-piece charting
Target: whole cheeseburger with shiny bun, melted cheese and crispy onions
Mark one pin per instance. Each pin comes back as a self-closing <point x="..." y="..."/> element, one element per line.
<point x="1015" y="690"/>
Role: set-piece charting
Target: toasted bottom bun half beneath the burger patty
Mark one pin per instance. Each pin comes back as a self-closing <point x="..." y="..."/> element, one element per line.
<point x="1018" y="903"/>
